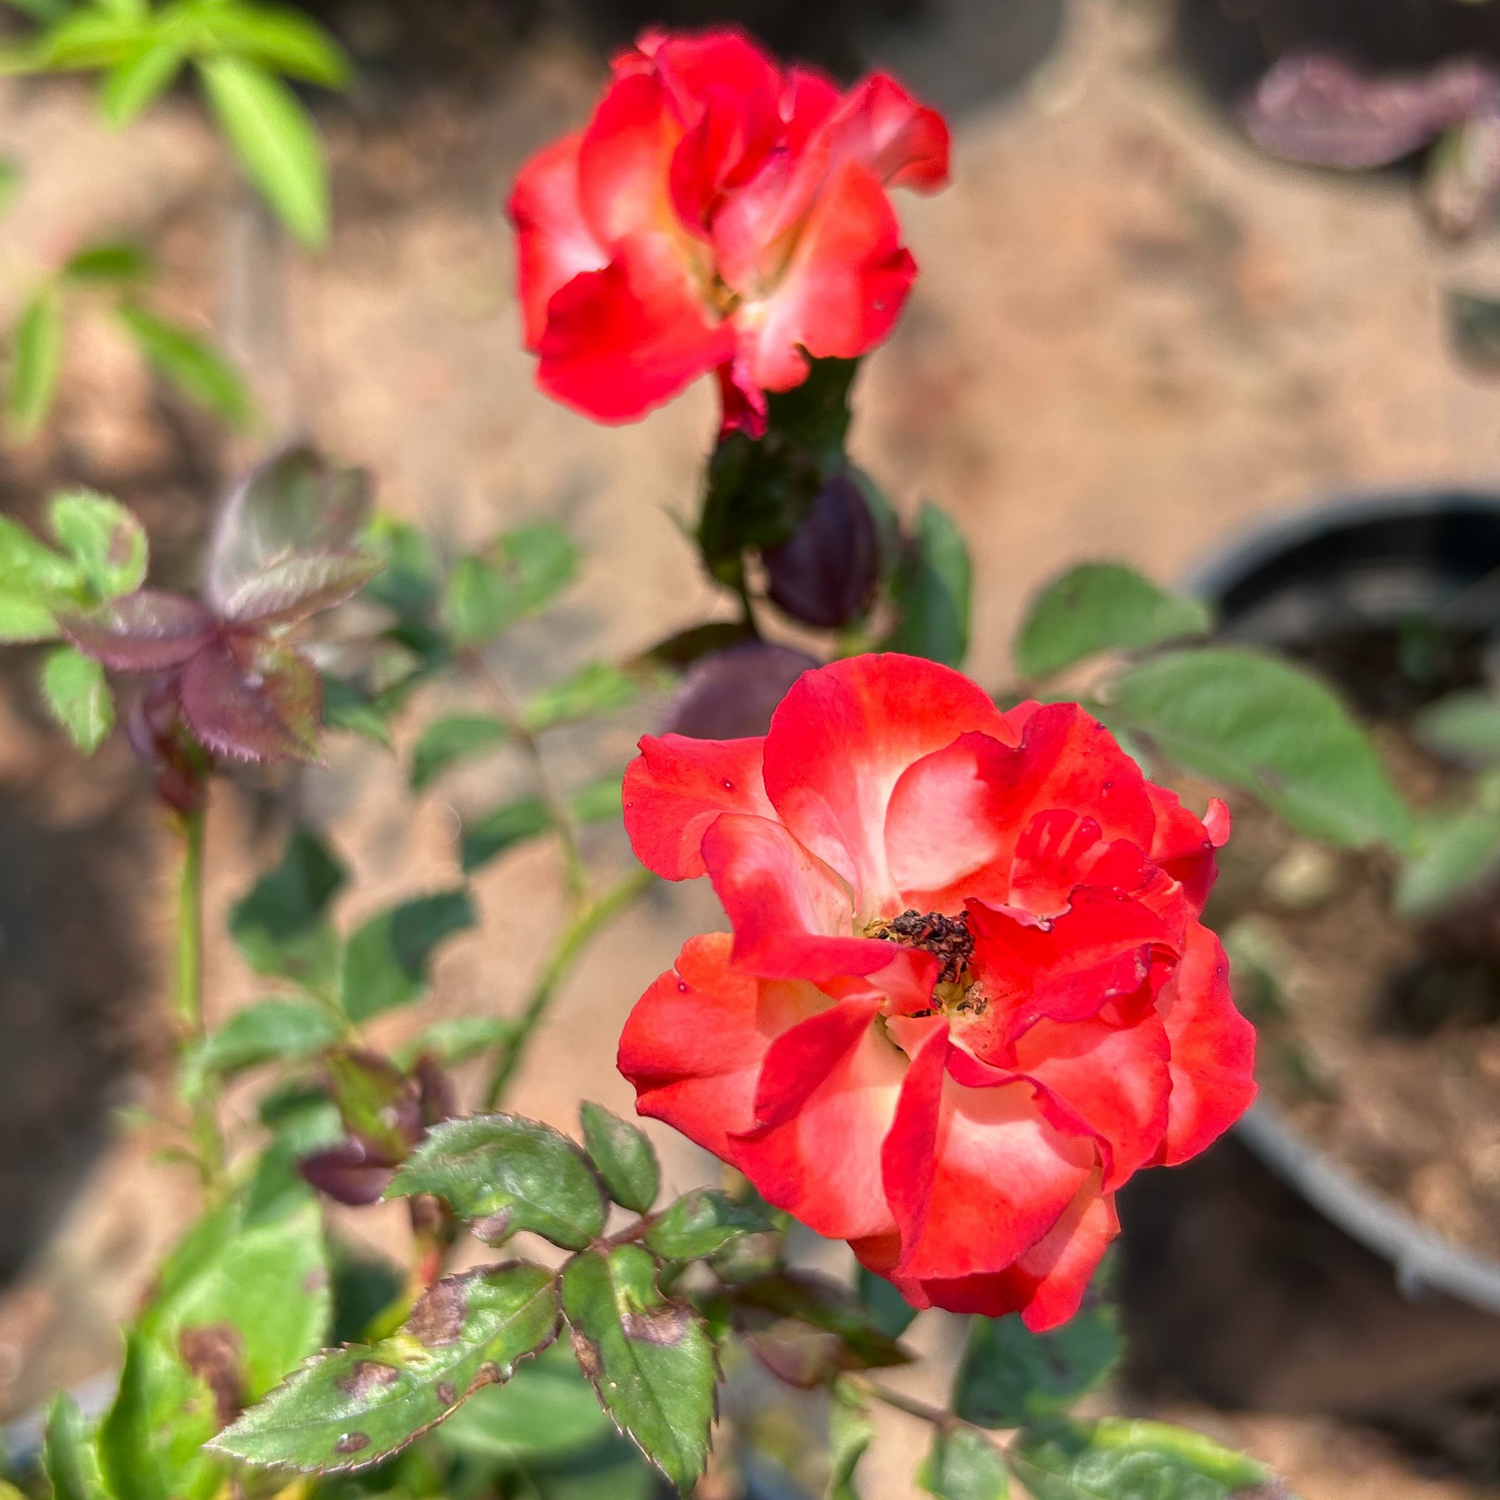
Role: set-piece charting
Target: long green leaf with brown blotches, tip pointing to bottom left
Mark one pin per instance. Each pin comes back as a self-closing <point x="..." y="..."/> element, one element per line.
<point x="358" y="1406"/>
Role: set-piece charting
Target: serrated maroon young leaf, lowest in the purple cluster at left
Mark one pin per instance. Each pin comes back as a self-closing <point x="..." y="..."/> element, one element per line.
<point x="254" y="700"/>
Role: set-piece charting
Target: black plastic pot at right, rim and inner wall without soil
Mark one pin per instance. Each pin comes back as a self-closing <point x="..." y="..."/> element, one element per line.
<point x="1366" y="560"/>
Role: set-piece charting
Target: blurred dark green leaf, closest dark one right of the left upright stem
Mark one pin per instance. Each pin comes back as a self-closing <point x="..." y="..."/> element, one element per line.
<point x="281" y="926"/>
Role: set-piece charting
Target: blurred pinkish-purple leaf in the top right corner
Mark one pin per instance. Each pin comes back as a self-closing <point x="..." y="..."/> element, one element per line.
<point x="1328" y="113"/>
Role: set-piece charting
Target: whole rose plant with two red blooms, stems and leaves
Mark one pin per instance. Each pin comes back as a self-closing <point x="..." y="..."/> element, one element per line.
<point x="967" y="989"/>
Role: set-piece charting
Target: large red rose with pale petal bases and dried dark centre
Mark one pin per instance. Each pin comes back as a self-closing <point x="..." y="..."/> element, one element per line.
<point x="967" y="994"/>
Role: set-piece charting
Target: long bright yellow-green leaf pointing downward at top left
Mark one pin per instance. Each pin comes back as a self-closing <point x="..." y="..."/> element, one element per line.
<point x="275" y="140"/>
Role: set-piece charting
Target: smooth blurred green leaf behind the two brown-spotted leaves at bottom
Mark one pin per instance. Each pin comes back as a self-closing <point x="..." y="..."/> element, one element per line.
<point x="547" y="1412"/>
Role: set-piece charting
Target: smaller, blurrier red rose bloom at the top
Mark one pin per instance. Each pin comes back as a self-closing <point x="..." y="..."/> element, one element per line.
<point x="718" y="214"/>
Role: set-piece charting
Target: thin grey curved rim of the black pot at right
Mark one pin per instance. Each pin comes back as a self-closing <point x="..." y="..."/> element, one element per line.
<point x="1424" y="1259"/>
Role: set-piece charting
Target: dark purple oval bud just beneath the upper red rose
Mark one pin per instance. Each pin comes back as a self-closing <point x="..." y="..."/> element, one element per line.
<point x="827" y="572"/>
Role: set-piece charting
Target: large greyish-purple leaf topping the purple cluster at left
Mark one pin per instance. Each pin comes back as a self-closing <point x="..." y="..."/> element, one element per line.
<point x="298" y="503"/>
